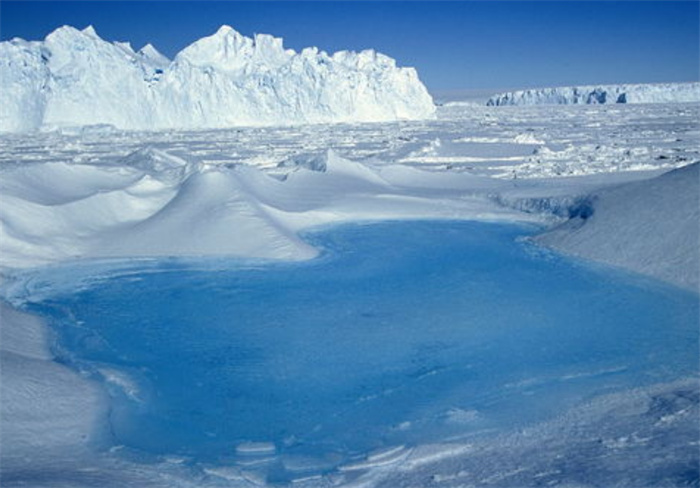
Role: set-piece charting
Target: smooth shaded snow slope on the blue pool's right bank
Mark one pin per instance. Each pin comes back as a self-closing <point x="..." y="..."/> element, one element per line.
<point x="649" y="226"/>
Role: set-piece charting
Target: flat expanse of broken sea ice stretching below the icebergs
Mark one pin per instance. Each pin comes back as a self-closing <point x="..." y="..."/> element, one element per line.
<point x="527" y="142"/>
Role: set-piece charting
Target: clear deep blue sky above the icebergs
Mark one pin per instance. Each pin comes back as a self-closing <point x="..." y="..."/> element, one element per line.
<point x="454" y="45"/>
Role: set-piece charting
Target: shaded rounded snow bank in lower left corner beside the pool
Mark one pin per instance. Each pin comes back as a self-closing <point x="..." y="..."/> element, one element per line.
<point x="62" y="423"/>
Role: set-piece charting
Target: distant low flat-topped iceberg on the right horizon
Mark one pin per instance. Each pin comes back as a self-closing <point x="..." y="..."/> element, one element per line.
<point x="577" y="95"/>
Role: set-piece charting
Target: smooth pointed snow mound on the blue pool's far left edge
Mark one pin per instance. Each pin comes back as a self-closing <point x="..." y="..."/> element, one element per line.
<point x="212" y="213"/>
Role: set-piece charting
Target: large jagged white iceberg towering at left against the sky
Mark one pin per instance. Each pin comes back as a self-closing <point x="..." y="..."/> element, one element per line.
<point x="74" y="78"/>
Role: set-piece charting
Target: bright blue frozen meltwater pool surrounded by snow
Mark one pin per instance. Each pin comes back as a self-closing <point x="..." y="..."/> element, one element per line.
<point x="400" y="334"/>
